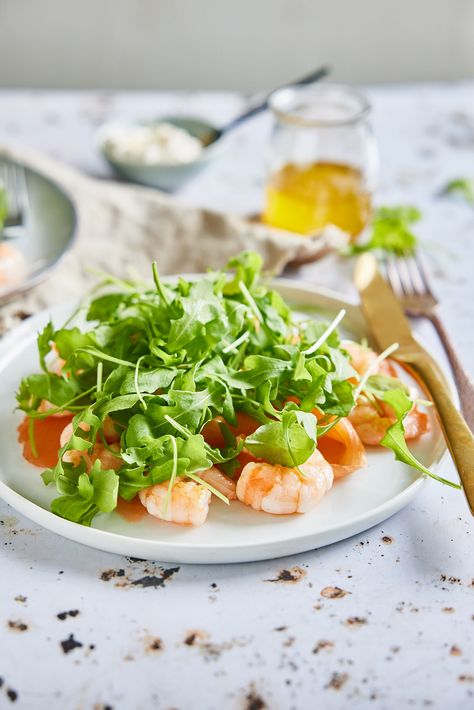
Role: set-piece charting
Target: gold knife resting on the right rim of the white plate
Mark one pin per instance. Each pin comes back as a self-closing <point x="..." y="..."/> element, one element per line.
<point x="388" y="325"/>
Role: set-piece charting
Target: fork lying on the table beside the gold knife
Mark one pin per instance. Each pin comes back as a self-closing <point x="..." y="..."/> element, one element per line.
<point x="409" y="281"/>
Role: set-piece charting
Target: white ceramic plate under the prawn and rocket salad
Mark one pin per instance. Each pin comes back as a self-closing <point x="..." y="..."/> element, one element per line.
<point x="234" y="533"/>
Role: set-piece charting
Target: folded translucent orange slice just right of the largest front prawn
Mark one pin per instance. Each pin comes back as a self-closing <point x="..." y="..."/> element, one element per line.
<point x="342" y="449"/>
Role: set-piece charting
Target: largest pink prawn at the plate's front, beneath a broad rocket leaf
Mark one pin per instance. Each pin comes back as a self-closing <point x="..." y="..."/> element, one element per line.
<point x="282" y="490"/>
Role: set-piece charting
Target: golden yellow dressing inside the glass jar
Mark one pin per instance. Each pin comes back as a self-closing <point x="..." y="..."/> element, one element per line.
<point x="306" y="198"/>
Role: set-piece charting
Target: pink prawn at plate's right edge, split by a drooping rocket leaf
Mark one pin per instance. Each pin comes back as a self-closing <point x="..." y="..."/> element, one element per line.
<point x="371" y="425"/>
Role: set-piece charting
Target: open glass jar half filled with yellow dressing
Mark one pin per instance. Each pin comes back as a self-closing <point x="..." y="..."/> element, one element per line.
<point x="322" y="160"/>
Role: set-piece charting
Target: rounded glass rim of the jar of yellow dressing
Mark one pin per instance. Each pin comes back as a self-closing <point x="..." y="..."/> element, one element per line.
<point x="284" y="105"/>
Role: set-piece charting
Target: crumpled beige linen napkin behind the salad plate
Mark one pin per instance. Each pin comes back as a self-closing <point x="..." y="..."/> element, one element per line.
<point x="123" y="227"/>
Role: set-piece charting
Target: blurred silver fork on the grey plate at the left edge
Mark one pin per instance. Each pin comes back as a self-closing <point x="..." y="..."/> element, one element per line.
<point x="13" y="178"/>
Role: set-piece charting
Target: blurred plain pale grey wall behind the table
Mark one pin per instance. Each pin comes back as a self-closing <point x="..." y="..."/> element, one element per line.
<point x="230" y="44"/>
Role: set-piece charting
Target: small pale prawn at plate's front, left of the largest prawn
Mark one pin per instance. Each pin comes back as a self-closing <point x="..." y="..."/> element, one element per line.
<point x="188" y="503"/>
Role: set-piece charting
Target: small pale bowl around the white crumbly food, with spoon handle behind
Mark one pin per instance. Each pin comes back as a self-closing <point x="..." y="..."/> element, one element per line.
<point x="163" y="176"/>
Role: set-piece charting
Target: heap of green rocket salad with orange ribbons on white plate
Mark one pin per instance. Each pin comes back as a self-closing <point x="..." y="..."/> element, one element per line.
<point x="161" y="365"/>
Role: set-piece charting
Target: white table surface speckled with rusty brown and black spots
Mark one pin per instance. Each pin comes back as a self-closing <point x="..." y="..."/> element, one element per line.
<point x="84" y="629"/>
